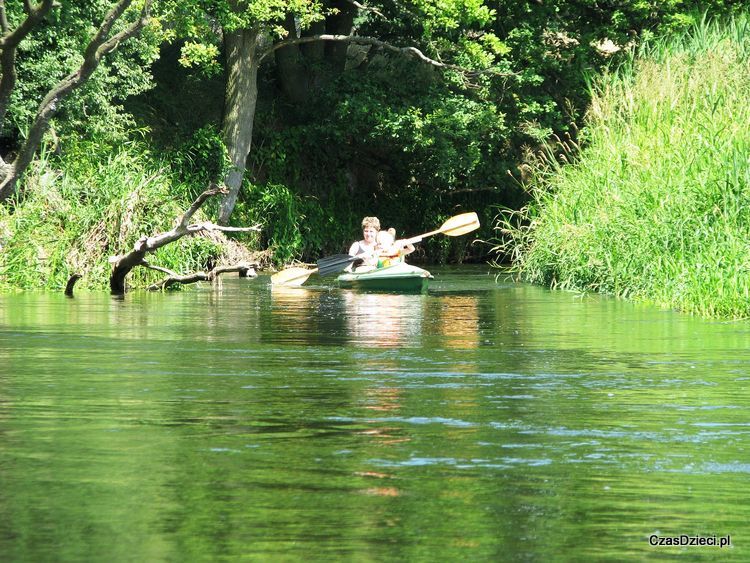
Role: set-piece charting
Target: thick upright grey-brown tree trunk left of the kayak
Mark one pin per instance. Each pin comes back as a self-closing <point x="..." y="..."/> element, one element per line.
<point x="242" y="52"/>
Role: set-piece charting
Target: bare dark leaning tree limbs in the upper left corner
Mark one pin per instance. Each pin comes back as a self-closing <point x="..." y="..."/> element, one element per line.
<point x="105" y="40"/>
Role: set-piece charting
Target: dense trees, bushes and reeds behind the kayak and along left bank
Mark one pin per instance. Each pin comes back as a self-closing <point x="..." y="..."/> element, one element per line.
<point x="336" y="133"/>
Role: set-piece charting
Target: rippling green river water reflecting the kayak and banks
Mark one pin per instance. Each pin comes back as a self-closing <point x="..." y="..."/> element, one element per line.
<point x="483" y="421"/>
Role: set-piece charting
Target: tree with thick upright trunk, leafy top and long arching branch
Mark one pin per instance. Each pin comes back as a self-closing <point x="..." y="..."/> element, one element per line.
<point x="254" y="30"/>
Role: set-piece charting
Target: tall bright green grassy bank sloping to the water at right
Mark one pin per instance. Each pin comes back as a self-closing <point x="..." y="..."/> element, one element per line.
<point x="657" y="205"/>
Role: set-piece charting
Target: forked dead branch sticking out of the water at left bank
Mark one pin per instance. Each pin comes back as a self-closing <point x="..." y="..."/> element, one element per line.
<point x="123" y="264"/>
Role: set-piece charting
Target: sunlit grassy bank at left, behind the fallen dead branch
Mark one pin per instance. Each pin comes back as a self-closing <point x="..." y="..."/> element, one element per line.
<point x="77" y="212"/>
